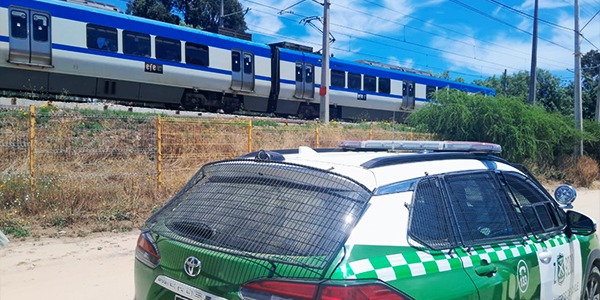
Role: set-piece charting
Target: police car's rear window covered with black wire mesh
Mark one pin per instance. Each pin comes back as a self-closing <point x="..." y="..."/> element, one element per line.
<point x="272" y="210"/>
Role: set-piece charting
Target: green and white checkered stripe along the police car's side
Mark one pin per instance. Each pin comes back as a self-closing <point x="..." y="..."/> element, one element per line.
<point x="412" y="262"/>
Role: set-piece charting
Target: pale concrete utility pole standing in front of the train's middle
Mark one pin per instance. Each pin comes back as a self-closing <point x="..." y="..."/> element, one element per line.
<point x="324" y="91"/>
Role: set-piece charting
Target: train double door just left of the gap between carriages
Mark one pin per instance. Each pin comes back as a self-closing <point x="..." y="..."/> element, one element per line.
<point x="242" y="71"/>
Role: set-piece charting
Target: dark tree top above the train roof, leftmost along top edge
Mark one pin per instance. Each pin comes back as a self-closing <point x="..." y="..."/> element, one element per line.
<point x="159" y="10"/>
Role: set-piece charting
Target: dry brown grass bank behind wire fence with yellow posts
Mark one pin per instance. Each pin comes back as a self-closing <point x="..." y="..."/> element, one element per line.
<point x="100" y="173"/>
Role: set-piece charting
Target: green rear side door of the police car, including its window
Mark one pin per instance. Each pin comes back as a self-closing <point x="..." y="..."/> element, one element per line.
<point x="499" y="260"/>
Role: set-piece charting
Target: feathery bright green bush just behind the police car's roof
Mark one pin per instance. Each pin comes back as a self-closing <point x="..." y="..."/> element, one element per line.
<point x="526" y="133"/>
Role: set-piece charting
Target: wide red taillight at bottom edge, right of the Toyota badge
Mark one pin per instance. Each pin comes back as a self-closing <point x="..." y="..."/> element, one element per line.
<point x="330" y="290"/>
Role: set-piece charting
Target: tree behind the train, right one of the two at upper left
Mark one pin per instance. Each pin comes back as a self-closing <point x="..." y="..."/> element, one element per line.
<point x="205" y="14"/>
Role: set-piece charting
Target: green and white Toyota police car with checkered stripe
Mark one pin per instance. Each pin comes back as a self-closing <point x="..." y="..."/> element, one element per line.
<point x="369" y="220"/>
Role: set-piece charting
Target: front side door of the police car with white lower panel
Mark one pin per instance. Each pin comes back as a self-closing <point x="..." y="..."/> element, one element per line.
<point x="558" y="256"/>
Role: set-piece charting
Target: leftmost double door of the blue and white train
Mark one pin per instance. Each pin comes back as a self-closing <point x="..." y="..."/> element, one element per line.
<point x="30" y="39"/>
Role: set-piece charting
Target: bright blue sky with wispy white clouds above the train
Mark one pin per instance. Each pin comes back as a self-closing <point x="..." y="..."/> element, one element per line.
<point x="472" y="39"/>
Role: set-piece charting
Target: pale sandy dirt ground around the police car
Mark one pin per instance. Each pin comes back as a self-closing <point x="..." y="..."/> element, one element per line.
<point x="100" y="266"/>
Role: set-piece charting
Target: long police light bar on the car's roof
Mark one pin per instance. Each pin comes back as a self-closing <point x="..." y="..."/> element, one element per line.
<point x="424" y="146"/>
